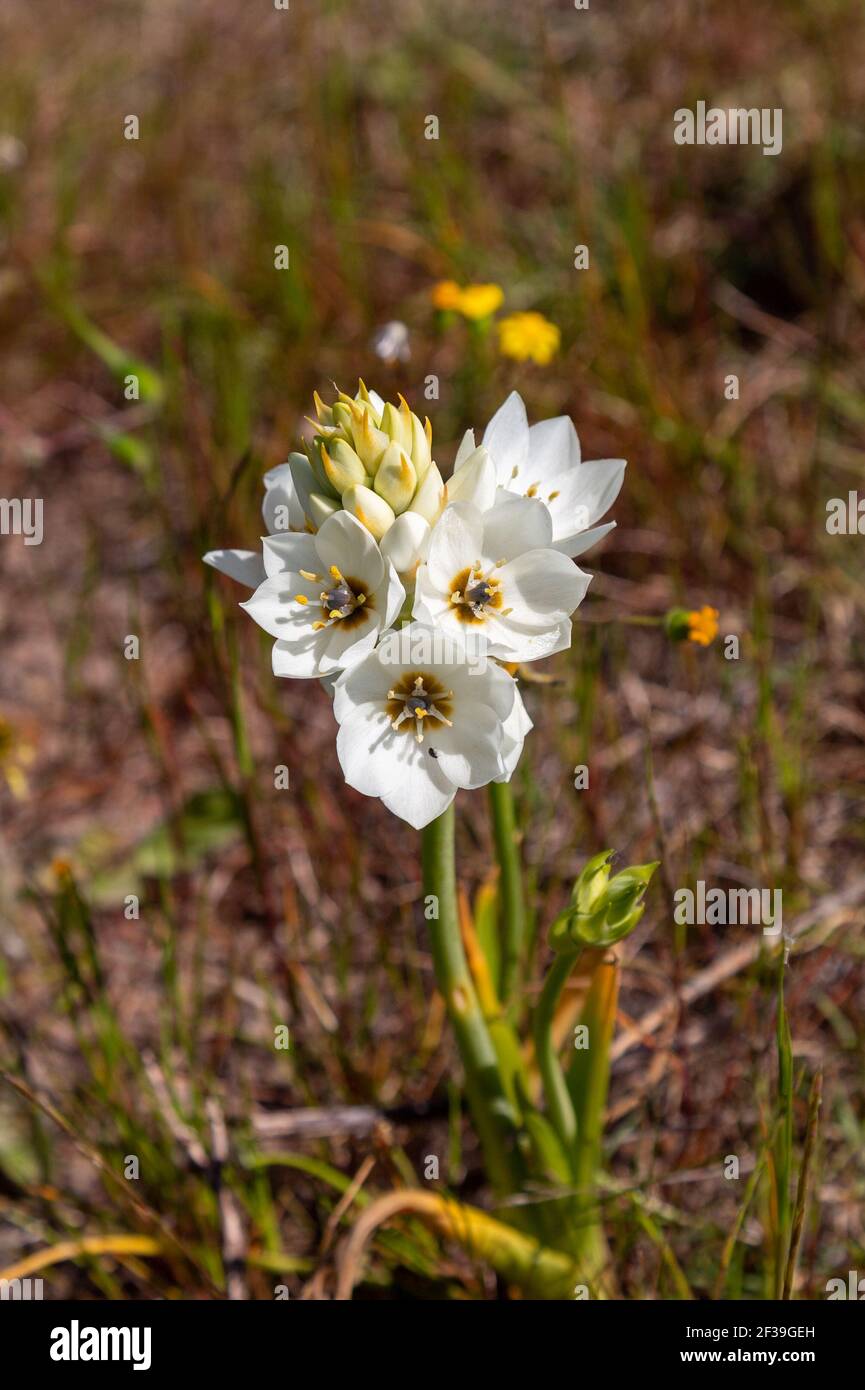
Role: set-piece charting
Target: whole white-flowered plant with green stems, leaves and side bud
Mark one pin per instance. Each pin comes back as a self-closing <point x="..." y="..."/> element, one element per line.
<point x="417" y="604"/>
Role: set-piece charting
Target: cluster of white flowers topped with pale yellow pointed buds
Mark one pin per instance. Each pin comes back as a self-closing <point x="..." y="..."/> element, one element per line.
<point x="410" y="597"/>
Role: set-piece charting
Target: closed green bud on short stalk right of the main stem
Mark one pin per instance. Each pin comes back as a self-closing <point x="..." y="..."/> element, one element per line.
<point x="603" y="910"/>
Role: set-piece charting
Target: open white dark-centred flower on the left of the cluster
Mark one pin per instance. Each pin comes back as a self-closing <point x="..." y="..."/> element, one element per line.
<point x="326" y="597"/>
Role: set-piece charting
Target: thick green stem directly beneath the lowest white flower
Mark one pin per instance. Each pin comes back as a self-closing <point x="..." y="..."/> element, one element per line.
<point x="493" y="1114"/>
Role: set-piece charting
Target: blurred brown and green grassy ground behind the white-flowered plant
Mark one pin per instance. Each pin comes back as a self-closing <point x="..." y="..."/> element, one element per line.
<point x="262" y="908"/>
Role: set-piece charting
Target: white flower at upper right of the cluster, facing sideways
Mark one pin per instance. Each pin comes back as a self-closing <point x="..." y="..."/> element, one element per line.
<point x="544" y="462"/>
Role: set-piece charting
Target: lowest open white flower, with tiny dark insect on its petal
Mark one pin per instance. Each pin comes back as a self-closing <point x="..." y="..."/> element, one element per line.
<point x="414" y="732"/>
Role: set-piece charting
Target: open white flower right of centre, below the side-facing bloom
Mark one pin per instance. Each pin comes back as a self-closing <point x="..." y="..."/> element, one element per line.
<point x="496" y="575"/>
